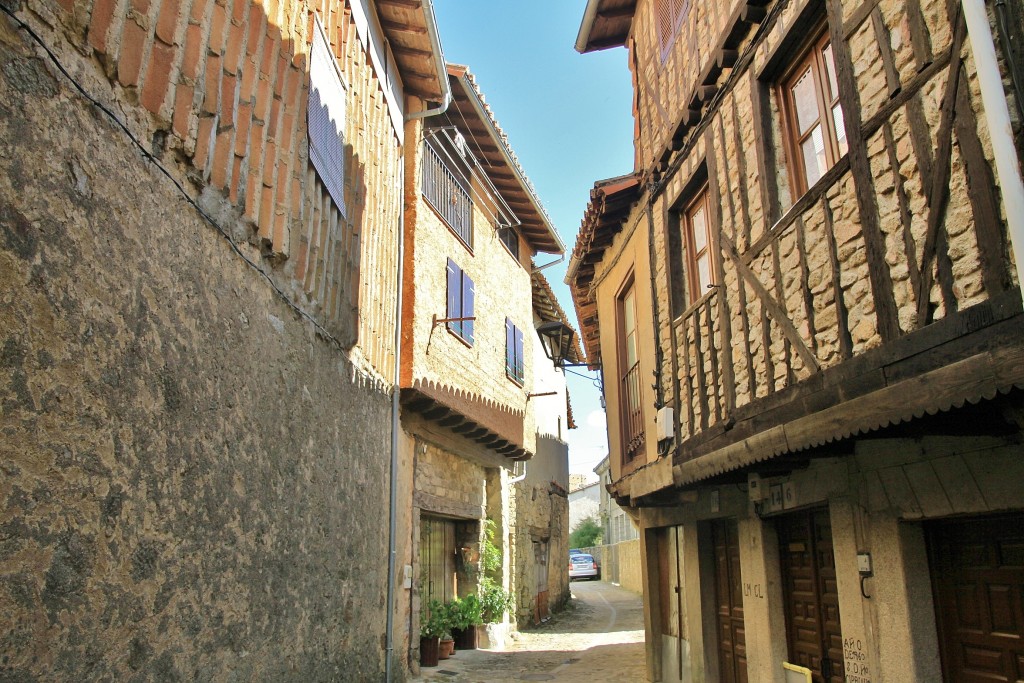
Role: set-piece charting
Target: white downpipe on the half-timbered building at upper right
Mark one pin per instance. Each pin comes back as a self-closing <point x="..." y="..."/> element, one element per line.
<point x="994" y="98"/>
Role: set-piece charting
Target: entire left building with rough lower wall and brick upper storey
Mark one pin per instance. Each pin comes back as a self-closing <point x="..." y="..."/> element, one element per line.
<point x="198" y="333"/>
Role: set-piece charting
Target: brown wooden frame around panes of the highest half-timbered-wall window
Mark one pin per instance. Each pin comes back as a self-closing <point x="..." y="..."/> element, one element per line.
<point x="812" y="56"/>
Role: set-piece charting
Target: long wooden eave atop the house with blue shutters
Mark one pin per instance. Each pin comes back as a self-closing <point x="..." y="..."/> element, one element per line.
<point x="473" y="117"/>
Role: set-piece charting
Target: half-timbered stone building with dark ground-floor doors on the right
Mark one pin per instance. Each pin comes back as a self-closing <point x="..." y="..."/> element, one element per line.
<point x="815" y="261"/>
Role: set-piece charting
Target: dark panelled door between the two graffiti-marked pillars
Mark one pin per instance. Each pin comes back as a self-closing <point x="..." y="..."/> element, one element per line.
<point x="813" y="624"/>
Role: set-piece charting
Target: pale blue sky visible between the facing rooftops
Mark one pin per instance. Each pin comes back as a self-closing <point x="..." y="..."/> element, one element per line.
<point x="568" y="118"/>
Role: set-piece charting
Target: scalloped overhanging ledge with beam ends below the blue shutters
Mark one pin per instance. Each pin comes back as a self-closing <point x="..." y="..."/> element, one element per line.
<point x="494" y="426"/>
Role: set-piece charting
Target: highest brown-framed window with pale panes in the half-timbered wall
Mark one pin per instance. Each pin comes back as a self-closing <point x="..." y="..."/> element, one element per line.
<point x="813" y="116"/>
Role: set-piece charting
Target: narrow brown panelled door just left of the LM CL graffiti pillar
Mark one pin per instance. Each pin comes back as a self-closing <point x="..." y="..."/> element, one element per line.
<point x="730" y="603"/>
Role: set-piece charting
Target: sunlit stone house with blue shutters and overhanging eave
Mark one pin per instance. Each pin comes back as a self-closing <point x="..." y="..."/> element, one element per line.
<point x="470" y="415"/>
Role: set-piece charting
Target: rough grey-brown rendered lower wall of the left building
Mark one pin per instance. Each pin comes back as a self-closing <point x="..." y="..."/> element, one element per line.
<point x="190" y="487"/>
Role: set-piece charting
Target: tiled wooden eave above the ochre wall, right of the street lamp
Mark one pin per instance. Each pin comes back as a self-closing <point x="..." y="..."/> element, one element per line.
<point x="611" y="203"/>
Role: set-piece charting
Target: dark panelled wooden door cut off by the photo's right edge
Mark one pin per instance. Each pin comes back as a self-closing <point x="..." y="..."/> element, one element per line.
<point x="978" y="579"/>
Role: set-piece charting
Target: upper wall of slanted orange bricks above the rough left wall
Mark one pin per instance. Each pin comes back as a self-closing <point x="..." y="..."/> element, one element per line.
<point x="221" y="88"/>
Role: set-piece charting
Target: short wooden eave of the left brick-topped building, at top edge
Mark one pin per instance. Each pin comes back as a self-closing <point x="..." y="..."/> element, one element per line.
<point x="405" y="25"/>
